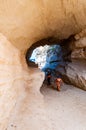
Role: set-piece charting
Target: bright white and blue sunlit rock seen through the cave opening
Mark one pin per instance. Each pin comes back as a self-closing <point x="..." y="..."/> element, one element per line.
<point x="47" y="57"/>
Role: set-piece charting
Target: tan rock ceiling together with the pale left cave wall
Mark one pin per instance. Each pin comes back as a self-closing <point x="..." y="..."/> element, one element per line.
<point x="22" y="23"/>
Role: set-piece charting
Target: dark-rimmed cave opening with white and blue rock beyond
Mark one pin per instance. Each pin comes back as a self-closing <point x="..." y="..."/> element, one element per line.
<point x="54" y="53"/>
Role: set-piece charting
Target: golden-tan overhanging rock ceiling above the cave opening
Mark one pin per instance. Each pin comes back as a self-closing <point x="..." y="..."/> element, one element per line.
<point x="24" y="22"/>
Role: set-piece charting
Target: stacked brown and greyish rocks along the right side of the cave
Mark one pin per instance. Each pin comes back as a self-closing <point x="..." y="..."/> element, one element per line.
<point x="75" y="72"/>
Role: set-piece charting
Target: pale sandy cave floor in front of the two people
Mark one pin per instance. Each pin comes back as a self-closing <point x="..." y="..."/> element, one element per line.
<point x="66" y="109"/>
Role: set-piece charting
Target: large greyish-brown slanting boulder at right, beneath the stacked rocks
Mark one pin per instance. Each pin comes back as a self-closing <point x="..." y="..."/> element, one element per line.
<point x="75" y="73"/>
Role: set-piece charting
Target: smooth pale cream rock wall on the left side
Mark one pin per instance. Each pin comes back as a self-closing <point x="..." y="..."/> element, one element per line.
<point x="21" y="104"/>
